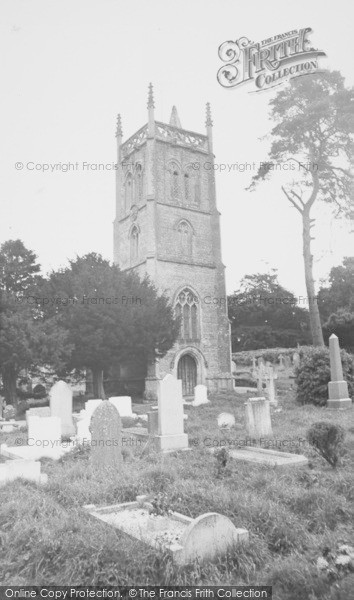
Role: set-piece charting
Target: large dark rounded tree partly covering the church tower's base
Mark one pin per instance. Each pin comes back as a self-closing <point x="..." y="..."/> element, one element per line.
<point x="110" y="316"/>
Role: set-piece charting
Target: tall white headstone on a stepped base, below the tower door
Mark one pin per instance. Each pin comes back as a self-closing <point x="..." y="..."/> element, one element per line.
<point x="171" y="434"/>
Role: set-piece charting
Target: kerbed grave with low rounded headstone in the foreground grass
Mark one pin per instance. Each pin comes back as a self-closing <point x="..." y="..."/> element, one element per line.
<point x="204" y="538"/>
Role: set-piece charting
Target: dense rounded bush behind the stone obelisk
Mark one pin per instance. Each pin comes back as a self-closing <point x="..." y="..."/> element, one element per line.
<point x="314" y="373"/>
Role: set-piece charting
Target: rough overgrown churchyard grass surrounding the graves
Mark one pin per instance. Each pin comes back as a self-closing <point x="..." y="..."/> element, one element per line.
<point x="293" y="516"/>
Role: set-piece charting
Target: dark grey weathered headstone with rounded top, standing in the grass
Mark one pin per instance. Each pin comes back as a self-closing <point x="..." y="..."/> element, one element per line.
<point x="106" y="439"/>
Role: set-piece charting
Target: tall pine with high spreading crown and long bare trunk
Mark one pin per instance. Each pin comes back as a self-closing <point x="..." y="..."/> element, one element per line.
<point x="314" y="118"/>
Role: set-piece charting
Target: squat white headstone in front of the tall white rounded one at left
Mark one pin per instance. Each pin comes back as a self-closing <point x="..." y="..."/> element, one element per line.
<point x="44" y="433"/>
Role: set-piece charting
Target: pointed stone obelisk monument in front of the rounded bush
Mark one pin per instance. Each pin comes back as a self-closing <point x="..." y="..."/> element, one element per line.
<point x="338" y="396"/>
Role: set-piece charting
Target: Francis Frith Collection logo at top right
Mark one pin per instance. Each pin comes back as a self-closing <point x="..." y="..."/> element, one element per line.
<point x="269" y="62"/>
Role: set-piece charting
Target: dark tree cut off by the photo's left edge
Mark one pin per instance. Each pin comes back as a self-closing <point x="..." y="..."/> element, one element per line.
<point x="26" y="339"/>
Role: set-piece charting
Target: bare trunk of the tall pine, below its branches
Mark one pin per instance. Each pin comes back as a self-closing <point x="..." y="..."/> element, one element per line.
<point x="315" y="321"/>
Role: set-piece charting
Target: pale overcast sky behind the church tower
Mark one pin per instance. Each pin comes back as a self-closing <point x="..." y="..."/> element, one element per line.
<point x="69" y="66"/>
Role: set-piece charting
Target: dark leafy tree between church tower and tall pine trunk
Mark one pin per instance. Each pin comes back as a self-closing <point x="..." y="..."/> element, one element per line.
<point x="264" y="314"/>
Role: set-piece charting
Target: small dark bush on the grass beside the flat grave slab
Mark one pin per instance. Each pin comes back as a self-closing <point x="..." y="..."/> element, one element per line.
<point x="327" y="439"/>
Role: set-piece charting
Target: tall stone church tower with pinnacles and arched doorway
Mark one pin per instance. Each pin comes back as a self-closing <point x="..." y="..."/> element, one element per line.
<point x="167" y="226"/>
